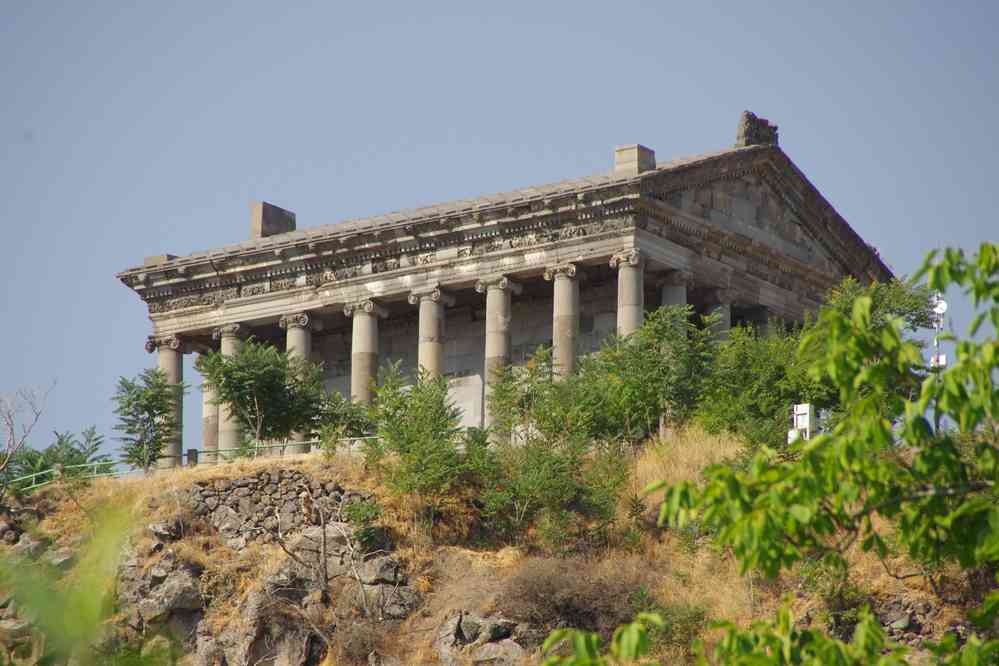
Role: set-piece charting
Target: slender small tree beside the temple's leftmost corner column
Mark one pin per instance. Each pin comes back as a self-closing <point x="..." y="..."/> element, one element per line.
<point x="146" y="411"/>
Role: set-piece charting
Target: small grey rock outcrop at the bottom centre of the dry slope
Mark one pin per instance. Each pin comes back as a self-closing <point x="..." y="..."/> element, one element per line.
<point x="467" y="638"/>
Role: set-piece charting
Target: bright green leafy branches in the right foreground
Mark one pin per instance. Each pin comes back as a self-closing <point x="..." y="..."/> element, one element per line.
<point x="915" y="473"/>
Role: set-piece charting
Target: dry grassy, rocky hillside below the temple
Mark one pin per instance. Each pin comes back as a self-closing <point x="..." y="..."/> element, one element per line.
<point x="220" y="563"/>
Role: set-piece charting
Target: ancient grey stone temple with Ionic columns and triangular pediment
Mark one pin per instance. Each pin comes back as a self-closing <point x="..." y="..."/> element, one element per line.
<point x="465" y="287"/>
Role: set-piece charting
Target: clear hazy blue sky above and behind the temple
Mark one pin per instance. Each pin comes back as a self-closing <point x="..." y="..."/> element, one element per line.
<point x="128" y="131"/>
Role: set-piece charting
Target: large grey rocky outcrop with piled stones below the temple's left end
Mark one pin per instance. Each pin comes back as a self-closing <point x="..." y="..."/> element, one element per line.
<point x="322" y="579"/>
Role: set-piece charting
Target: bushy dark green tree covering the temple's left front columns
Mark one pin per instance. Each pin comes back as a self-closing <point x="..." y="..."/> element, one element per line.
<point x="270" y="392"/>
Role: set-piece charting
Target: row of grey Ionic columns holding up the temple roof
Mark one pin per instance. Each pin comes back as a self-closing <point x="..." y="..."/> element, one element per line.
<point x="222" y="431"/>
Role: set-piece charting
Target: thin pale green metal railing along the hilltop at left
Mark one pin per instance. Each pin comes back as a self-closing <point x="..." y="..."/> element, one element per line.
<point x="116" y="468"/>
